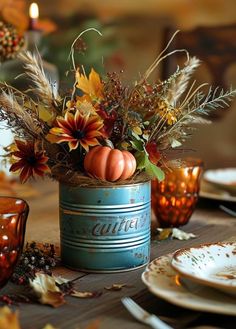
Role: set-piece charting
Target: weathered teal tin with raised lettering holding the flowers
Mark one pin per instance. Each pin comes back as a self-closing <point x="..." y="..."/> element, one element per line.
<point x="105" y="229"/>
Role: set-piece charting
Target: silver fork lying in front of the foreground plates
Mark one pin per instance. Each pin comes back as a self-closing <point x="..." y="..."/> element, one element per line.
<point x="142" y="315"/>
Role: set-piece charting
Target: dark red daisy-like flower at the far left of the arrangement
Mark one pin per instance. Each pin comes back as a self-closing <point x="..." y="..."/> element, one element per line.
<point x="29" y="160"/>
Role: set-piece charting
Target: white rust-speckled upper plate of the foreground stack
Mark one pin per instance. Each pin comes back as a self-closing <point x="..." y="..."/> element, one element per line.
<point x="211" y="264"/>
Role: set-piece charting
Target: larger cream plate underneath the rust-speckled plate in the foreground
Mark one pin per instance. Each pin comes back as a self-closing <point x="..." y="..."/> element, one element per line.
<point x="162" y="280"/>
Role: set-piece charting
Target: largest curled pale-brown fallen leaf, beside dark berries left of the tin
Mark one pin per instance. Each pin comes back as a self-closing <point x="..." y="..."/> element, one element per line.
<point x="46" y="289"/>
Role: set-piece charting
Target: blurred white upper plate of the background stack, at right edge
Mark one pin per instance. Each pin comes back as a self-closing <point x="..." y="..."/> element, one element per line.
<point x="224" y="179"/>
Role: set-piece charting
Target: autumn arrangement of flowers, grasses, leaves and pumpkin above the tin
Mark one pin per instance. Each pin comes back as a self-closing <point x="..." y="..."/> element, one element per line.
<point x="102" y="131"/>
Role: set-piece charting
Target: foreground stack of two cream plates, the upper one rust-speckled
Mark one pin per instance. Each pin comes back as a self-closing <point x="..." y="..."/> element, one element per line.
<point x="200" y="278"/>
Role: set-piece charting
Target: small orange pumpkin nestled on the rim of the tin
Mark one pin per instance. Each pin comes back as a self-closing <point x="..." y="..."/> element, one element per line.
<point x="109" y="164"/>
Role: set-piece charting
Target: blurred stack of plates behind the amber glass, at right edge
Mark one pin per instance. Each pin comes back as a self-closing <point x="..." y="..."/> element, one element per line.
<point x="219" y="184"/>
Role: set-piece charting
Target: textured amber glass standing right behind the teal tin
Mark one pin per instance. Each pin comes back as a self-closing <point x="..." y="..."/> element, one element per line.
<point x="175" y="198"/>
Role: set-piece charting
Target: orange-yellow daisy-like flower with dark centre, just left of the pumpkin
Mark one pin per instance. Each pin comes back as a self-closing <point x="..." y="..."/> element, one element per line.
<point x="77" y="129"/>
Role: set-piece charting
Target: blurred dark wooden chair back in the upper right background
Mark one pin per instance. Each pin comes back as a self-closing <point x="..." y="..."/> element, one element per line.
<point x="215" y="46"/>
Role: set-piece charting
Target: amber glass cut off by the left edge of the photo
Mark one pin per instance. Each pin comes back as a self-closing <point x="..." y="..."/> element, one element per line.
<point x="13" y="216"/>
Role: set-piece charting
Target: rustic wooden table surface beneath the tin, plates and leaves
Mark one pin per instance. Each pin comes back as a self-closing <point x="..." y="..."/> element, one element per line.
<point x="208" y="223"/>
